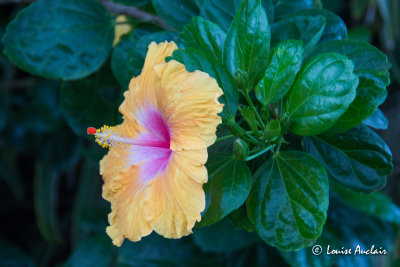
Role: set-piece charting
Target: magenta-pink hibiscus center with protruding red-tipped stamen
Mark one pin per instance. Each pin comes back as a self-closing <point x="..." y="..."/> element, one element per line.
<point x="150" y="149"/>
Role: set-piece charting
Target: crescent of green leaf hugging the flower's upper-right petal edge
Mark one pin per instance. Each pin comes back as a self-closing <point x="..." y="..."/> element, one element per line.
<point x="198" y="60"/>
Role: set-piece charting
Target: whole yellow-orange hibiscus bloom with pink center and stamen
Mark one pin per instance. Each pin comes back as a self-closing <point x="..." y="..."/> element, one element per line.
<point x="154" y="172"/>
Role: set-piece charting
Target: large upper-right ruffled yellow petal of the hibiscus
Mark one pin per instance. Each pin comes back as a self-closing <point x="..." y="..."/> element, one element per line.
<point x="189" y="102"/>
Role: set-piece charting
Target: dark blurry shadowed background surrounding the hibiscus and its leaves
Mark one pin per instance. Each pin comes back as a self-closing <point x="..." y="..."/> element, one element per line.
<point x="51" y="209"/>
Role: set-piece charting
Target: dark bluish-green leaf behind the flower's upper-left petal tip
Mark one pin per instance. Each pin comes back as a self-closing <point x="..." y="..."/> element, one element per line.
<point x="128" y="56"/>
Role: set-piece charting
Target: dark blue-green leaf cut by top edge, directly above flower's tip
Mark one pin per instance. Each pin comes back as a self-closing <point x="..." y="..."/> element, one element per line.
<point x="176" y="13"/>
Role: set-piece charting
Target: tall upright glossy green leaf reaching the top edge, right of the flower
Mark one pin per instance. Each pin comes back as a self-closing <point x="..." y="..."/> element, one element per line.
<point x="247" y="42"/>
